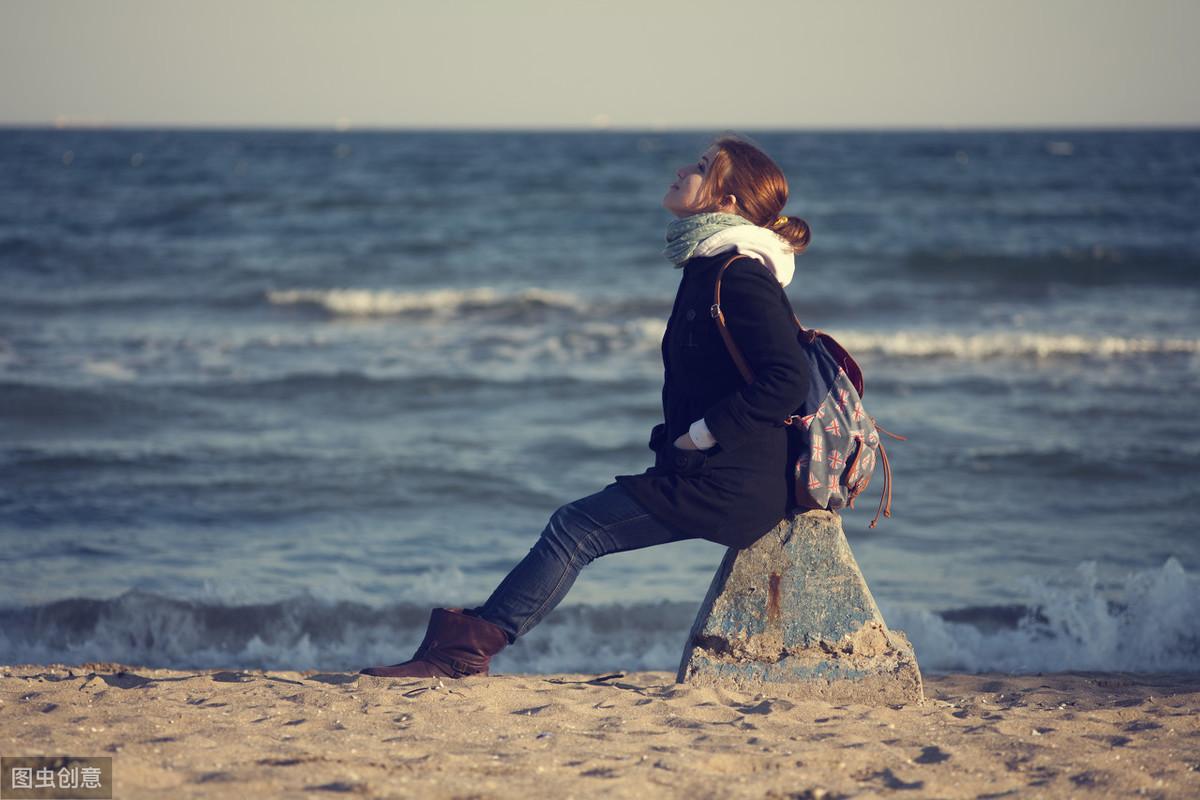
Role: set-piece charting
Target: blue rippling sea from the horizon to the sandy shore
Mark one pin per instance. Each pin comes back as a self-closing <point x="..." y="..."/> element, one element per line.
<point x="268" y="396"/>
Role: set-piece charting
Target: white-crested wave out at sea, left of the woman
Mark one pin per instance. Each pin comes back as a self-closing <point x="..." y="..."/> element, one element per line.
<point x="376" y="303"/>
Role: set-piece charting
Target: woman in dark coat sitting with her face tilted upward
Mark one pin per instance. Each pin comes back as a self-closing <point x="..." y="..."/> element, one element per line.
<point x="722" y="453"/>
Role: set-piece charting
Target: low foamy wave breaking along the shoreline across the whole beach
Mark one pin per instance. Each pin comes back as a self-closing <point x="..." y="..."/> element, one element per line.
<point x="1150" y="622"/>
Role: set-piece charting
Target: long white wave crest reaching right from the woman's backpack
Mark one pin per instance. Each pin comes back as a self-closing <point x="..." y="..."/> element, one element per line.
<point x="982" y="347"/>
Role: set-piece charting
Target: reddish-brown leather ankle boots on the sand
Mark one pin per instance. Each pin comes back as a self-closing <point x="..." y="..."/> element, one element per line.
<point x="455" y="646"/>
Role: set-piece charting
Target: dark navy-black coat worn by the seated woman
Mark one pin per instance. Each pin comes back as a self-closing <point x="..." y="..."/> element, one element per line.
<point x="739" y="490"/>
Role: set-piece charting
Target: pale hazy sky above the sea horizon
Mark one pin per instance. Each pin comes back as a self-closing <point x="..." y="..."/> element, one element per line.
<point x="608" y="63"/>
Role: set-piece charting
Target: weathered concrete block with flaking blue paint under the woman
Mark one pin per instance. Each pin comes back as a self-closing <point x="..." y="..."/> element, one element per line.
<point x="793" y="616"/>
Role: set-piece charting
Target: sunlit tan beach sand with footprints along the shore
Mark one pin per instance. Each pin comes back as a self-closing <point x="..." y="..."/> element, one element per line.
<point x="275" y="735"/>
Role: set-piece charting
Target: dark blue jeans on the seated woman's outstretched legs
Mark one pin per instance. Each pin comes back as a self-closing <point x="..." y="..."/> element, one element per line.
<point x="607" y="522"/>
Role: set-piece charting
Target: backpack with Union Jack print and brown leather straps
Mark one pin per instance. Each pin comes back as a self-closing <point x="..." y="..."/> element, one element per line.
<point x="837" y="440"/>
